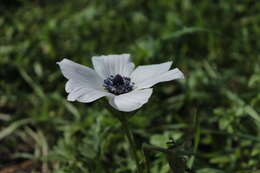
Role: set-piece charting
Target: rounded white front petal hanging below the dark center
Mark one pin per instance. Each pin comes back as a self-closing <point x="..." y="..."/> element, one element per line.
<point x="130" y="101"/>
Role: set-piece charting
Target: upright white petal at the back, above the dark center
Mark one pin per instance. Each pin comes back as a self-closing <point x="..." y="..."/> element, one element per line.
<point x="107" y="65"/>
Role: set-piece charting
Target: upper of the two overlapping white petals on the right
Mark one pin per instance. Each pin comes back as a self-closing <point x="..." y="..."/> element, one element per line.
<point x="142" y="73"/>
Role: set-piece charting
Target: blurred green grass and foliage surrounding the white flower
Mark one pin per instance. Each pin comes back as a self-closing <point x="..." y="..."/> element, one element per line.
<point x="215" y="43"/>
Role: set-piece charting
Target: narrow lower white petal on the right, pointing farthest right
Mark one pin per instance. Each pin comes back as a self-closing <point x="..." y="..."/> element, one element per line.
<point x="167" y="76"/>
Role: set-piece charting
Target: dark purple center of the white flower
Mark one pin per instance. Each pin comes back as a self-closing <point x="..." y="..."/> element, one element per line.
<point x="118" y="84"/>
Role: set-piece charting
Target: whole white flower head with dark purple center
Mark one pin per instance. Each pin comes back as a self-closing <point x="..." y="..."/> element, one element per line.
<point x="114" y="76"/>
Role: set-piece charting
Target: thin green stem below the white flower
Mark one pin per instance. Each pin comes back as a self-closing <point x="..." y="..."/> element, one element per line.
<point x="131" y="140"/>
